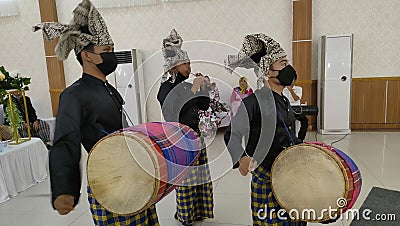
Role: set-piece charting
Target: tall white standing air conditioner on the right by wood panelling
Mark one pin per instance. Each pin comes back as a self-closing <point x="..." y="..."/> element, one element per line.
<point x="334" y="84"/>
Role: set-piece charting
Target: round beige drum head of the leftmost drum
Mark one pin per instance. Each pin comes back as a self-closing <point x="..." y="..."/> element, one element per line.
<point x="122" y="172"/>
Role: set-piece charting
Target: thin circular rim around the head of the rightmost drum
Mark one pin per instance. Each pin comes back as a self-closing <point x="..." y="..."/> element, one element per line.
<point x="337" y="161"/>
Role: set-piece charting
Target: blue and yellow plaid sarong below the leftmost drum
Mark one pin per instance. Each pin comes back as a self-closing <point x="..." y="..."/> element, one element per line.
<point x="102" y="217"/>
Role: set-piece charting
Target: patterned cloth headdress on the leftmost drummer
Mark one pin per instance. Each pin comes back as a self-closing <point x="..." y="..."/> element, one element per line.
<point x="87" y="27"/>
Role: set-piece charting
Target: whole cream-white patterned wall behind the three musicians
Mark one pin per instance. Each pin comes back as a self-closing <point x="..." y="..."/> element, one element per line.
<point x="374" y="24"/>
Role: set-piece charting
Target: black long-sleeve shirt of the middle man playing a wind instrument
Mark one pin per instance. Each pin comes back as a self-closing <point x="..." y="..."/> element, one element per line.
<point x="179" y="104"/>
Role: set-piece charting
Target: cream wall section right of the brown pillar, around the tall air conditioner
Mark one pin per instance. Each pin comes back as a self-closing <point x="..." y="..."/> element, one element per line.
<point x="375" y="28"/>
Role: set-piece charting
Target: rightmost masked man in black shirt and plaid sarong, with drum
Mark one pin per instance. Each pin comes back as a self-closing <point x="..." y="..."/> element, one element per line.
<point x="266" y="119"/>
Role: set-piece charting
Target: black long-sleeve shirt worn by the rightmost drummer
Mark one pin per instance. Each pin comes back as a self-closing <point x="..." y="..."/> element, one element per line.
<point x="258" y="119"/>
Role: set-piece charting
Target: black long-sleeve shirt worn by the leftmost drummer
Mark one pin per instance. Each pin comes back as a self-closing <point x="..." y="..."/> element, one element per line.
<point x="88" y="110"/>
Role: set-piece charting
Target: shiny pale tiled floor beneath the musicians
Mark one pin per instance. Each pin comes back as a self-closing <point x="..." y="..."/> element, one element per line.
<point x="376" y="154"/>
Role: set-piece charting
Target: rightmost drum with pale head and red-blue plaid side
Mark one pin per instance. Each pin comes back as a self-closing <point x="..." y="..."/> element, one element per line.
<point x="310" y="179"/>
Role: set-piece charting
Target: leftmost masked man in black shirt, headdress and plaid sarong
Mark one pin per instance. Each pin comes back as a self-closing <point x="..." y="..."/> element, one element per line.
<point x="89" y="109"/>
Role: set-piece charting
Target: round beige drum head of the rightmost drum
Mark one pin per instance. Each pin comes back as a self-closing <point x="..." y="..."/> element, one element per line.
<point x="307" y="177"/>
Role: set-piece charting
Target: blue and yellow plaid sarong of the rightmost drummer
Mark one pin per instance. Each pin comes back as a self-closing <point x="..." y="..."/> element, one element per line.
<point x="263" y="201"/>
